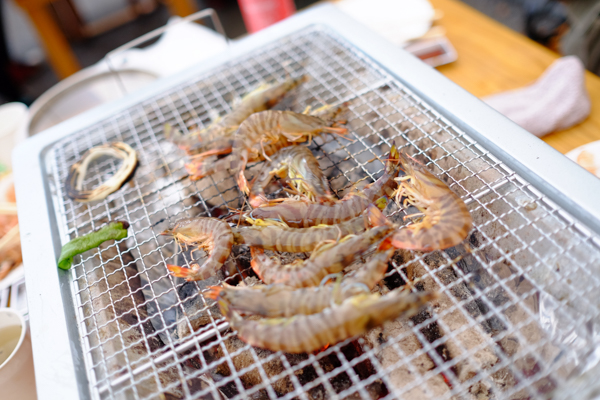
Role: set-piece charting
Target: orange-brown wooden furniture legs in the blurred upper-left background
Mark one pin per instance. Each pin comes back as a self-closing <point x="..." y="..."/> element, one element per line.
<point x="59" y="52"/>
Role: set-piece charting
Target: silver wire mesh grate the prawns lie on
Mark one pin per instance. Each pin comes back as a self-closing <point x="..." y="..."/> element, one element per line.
<point x="148" y="335"/>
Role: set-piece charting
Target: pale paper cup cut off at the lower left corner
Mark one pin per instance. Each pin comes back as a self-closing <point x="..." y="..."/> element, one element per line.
<point x="17" y="379"/>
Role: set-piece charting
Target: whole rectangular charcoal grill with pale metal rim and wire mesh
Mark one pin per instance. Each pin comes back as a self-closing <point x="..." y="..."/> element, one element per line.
<point x="518" y="310"/>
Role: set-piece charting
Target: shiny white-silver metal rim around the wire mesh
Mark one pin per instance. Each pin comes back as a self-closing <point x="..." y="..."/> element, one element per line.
<point x="60" y="369"/>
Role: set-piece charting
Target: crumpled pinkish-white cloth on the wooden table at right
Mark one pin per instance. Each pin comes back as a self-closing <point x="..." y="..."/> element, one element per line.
<point x="556" y="101"/>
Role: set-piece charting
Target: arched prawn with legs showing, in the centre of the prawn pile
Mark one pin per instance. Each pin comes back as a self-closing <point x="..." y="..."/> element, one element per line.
<point x="300" y="167"/>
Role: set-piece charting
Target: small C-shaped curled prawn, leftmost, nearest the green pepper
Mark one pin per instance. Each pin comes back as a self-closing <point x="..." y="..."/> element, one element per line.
<point x="213" y="235"/>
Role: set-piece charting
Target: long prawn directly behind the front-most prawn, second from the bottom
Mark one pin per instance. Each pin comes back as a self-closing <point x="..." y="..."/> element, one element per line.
<point x="283" y="301"/>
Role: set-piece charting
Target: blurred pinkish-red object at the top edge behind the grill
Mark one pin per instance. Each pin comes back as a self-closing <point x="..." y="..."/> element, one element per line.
<point x="259" y="14"/>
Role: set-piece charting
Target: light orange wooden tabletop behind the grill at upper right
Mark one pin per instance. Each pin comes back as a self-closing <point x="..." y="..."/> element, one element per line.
<point x="493" y="58"/>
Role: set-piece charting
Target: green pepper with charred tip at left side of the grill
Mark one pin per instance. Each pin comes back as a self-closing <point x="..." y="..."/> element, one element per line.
<point x="113" y="231"/>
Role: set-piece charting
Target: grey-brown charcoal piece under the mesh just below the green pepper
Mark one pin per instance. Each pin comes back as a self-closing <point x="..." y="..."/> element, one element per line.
<point x="115" y="294"/>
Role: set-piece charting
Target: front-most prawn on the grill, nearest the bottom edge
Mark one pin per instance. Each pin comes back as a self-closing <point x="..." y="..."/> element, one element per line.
<point x="308" y="333"/>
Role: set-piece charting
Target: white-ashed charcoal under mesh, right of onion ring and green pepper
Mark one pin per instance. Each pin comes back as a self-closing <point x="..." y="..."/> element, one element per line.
<point x="160" y="201"/>
